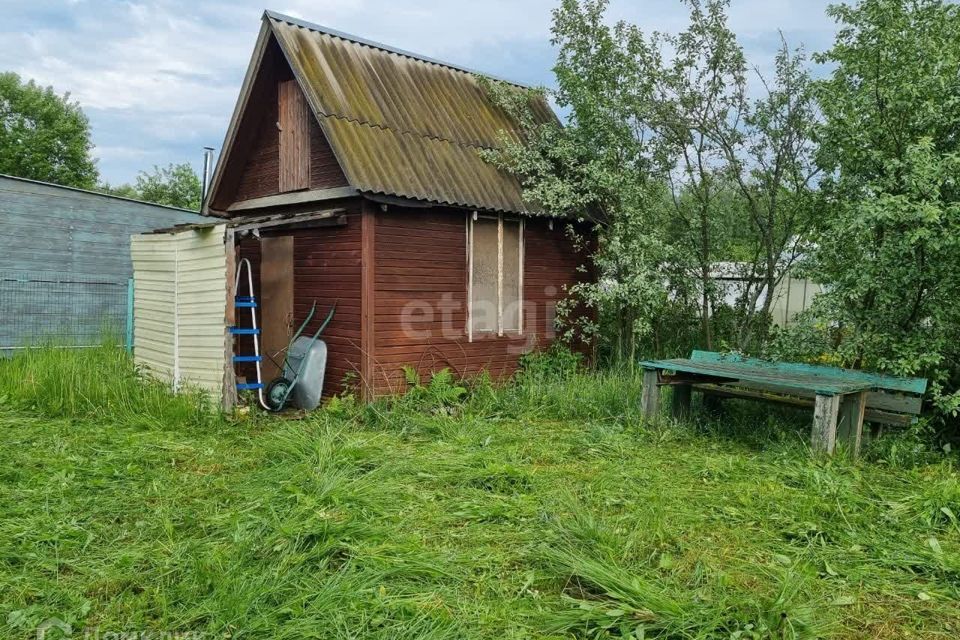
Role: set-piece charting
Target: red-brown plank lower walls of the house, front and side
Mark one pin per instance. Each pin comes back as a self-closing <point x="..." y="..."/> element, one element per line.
<point x="419" y="294"/>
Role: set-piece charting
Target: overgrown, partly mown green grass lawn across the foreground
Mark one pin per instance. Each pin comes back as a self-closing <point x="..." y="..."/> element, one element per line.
<point x="543" y="509"/>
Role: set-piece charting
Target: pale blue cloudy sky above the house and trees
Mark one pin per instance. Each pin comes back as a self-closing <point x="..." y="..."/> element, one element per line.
<point x="158" y="78"/>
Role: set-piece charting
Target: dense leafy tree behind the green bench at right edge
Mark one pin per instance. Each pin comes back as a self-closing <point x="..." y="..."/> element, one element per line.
<point x="890" y="249"/>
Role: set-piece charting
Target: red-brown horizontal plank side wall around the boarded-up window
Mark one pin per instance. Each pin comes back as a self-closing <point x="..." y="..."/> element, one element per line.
<point x="421" y="296"/>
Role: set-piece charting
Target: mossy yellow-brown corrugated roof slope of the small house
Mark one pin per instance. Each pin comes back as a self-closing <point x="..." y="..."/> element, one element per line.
<point x="402" y="124"/>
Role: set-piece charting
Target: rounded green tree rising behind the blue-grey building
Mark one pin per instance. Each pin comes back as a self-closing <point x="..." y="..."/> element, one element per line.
<point x="43" y="135"/>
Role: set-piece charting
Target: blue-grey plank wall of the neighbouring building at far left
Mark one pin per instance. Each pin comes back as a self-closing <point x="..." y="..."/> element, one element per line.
<point x="66" y="260"/>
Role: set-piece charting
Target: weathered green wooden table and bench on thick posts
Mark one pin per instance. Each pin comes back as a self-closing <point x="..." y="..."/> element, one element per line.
<point x="842" y="399"/>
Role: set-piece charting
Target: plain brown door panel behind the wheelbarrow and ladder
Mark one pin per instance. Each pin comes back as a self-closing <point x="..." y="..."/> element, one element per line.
<point x="276" y="299"/>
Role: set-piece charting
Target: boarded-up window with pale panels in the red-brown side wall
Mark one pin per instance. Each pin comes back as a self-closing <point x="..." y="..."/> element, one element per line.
<point x="496" y="275"/>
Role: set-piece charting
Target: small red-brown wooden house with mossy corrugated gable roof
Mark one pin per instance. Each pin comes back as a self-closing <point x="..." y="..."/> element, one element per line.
<point x="363" y="164"/>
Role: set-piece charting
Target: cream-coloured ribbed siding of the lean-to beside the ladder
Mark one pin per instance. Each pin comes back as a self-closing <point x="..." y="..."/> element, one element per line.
<point x="180" y="297"/>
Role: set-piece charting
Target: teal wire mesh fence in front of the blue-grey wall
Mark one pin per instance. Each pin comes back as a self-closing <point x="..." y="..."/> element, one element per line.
<point x="66" y="310"/>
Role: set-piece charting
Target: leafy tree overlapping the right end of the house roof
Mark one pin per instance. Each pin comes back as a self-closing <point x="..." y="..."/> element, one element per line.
<point x="599" y="166"/>
